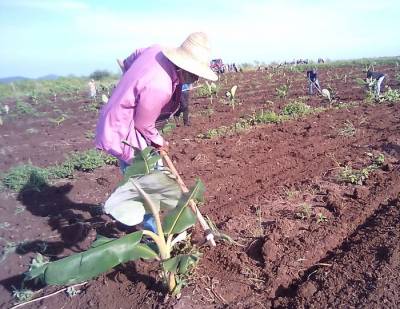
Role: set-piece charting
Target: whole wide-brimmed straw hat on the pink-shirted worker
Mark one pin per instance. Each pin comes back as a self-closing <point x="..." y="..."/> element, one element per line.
<point x="193" y="56"/>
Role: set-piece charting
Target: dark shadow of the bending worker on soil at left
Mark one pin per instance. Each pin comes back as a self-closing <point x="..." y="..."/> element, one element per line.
<point x="77" y="225"/>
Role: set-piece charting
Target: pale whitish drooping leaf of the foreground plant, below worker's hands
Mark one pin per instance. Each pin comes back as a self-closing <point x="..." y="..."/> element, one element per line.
<point x="127" y="205"/>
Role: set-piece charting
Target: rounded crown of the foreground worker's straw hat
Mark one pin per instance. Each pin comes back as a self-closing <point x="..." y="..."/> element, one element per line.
<point x="197" y="46"/>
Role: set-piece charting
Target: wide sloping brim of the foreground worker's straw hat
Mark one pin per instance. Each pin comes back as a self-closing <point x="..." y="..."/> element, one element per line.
<point x="185" y="61"/>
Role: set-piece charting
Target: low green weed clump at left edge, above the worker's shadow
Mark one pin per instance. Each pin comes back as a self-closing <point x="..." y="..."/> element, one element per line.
<point x="25" y="177"/>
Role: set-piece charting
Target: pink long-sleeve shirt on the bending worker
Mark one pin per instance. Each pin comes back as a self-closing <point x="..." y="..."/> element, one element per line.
<point x="143" y="93"/>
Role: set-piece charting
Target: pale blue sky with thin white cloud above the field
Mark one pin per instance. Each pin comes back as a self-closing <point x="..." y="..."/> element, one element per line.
<point x="78" y="37"/>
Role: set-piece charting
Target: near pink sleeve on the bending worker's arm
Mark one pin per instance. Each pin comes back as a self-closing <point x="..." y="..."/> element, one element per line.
<point x="149" y="105"/>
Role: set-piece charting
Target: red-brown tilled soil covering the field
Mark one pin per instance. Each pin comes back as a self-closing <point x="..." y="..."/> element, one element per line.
<point x="257" y="181"/>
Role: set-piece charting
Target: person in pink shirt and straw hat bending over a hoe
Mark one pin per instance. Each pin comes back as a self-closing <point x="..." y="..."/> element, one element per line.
<point x="149" y="93"/>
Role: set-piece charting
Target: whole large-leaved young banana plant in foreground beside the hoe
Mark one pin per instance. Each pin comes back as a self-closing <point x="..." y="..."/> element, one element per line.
<point x="143" y="190"/>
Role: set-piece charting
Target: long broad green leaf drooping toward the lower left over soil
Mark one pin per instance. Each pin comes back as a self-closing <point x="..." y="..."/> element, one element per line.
<point x="91" y="263"/>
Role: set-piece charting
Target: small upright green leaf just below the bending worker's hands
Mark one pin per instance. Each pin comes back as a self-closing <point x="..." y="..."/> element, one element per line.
<point x="143" y="163"/>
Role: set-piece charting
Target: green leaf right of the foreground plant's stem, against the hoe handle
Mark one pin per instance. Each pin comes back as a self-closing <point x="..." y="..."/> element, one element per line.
<point x="182" y="217"/>
